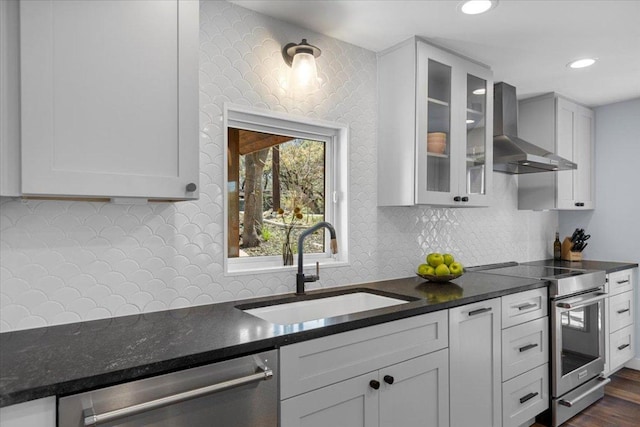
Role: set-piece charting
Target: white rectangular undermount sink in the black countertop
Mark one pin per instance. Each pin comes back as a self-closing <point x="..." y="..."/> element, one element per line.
<point x="322" y="308"/>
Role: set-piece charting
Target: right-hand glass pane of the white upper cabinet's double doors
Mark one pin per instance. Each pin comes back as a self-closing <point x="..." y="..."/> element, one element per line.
<point x="476" y="122"/>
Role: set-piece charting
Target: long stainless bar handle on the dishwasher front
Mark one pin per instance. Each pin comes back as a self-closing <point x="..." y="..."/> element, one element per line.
<point x="91" y="419"/>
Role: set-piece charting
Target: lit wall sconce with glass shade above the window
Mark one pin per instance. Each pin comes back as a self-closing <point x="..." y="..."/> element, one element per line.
<point x="302" y="60"/>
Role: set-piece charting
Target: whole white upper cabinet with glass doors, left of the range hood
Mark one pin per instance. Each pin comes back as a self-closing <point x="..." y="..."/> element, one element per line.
<point x="435" y="128"/>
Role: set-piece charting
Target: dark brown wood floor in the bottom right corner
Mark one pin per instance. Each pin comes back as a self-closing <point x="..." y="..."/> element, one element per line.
<point x="620" y="406"/>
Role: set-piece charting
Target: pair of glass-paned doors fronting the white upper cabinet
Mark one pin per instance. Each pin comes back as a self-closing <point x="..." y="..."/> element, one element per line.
<point x="454" y="129"/>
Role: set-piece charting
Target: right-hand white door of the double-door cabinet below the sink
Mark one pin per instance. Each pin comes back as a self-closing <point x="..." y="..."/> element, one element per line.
<point x="416" y="392"/>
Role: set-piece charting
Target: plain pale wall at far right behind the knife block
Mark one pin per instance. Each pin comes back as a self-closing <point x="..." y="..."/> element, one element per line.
<point x="615" y="223"/>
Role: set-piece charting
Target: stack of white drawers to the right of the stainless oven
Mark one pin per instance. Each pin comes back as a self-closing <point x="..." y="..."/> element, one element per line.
<point x="620" y="309"/>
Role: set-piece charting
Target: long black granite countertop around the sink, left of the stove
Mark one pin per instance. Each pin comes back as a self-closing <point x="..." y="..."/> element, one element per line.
<point x="66" y="359"/>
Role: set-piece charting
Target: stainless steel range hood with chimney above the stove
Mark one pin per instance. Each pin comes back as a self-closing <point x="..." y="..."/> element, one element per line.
<point x="511" y="154"/>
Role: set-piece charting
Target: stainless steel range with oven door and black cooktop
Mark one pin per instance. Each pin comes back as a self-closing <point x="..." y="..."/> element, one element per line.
<point x="576" y="301"/>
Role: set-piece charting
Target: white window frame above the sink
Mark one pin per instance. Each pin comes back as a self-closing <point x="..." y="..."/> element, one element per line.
<point x="336" y="138"/>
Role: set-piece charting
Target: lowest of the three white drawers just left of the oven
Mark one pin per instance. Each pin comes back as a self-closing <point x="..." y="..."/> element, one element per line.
<point x="525" y="396"/>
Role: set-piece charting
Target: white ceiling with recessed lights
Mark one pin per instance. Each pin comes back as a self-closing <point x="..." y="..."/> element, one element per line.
<point x="526" y="43"/>
